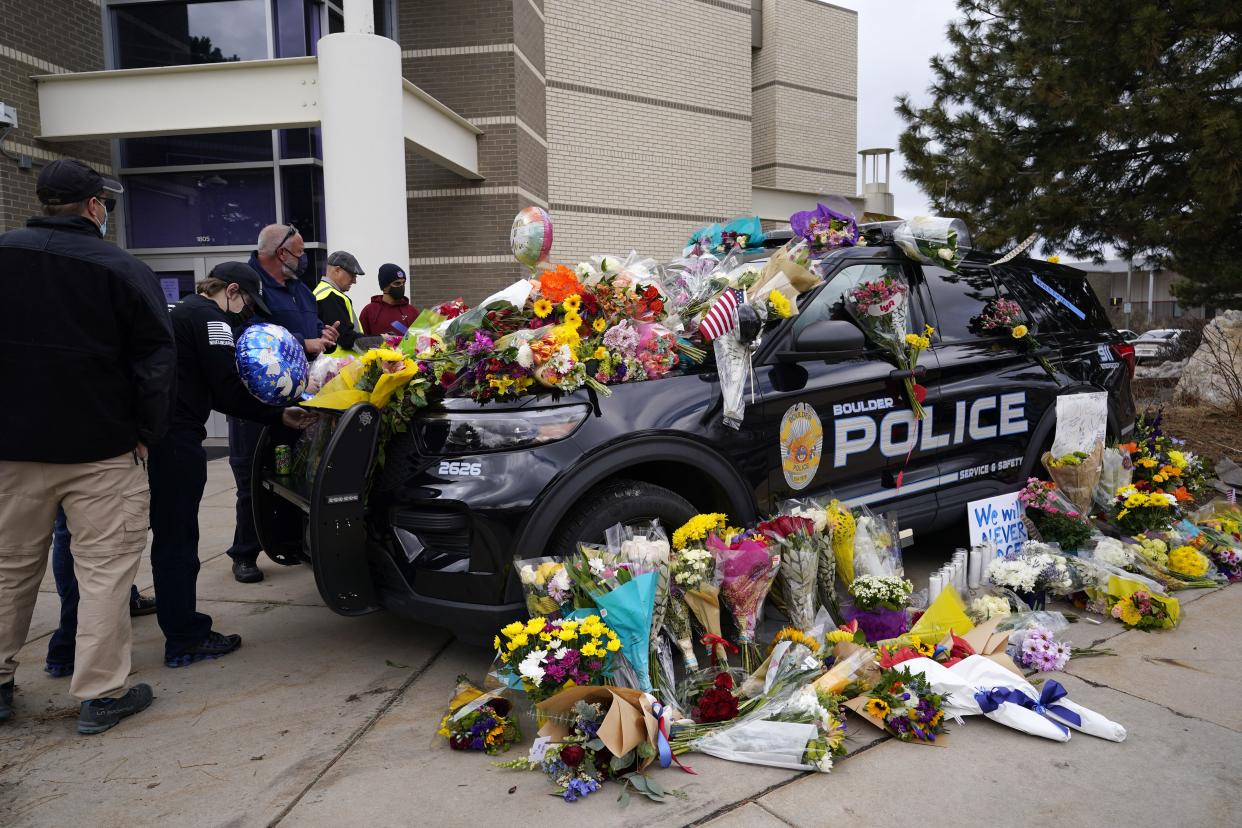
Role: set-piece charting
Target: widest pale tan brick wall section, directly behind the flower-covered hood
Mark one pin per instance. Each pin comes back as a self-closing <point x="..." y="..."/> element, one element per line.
<point x="649" y="122"/>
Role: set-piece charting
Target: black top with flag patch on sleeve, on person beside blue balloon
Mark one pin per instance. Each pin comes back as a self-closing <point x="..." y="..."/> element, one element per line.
<point x="207" y="369"/>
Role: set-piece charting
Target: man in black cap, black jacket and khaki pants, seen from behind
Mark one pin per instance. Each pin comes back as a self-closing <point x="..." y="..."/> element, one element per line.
<point x="88" y="336"/>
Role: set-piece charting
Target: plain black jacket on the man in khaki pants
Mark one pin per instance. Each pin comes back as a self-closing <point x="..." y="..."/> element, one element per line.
<point x="86" y="346"/>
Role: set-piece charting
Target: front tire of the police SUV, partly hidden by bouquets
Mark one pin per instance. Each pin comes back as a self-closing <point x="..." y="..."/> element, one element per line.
<point x="625" y="502"/>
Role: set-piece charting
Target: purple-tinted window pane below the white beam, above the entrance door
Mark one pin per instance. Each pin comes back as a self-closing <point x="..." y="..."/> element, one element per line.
<point x="199" y="209"/>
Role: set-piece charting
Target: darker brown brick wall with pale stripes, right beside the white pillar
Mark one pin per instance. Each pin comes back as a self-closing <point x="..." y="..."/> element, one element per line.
<point x="486" y="60"/>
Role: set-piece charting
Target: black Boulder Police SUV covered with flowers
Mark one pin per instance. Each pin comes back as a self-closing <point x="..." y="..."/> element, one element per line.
<point x="433" y="533"/>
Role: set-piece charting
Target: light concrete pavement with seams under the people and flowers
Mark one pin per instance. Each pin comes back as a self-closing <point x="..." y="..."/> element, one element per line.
<point x="324" y="721"/>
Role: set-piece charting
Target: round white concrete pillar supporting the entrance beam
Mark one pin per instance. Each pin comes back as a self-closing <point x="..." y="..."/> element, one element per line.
<point x="365" y="152"/>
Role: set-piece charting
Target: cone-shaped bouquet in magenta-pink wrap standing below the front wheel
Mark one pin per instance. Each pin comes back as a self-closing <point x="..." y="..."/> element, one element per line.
<point x="746" y="567"/>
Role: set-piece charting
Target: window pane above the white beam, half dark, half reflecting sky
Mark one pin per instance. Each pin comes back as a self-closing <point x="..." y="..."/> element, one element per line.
<point x="171" y="34"/>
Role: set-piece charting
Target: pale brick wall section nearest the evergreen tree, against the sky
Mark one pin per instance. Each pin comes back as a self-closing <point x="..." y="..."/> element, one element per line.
<point x="805" y="86"/>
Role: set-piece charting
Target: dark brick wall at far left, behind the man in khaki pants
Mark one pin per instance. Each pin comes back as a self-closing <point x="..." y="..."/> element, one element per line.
<point x="29" y="45"/>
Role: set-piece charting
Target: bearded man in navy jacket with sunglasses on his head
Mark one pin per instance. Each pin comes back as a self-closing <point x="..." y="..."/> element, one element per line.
<point x="280" y="261"/>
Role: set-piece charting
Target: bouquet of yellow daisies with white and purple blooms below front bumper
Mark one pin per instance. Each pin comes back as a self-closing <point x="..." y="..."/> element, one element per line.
<point x="573" y="654"/>
